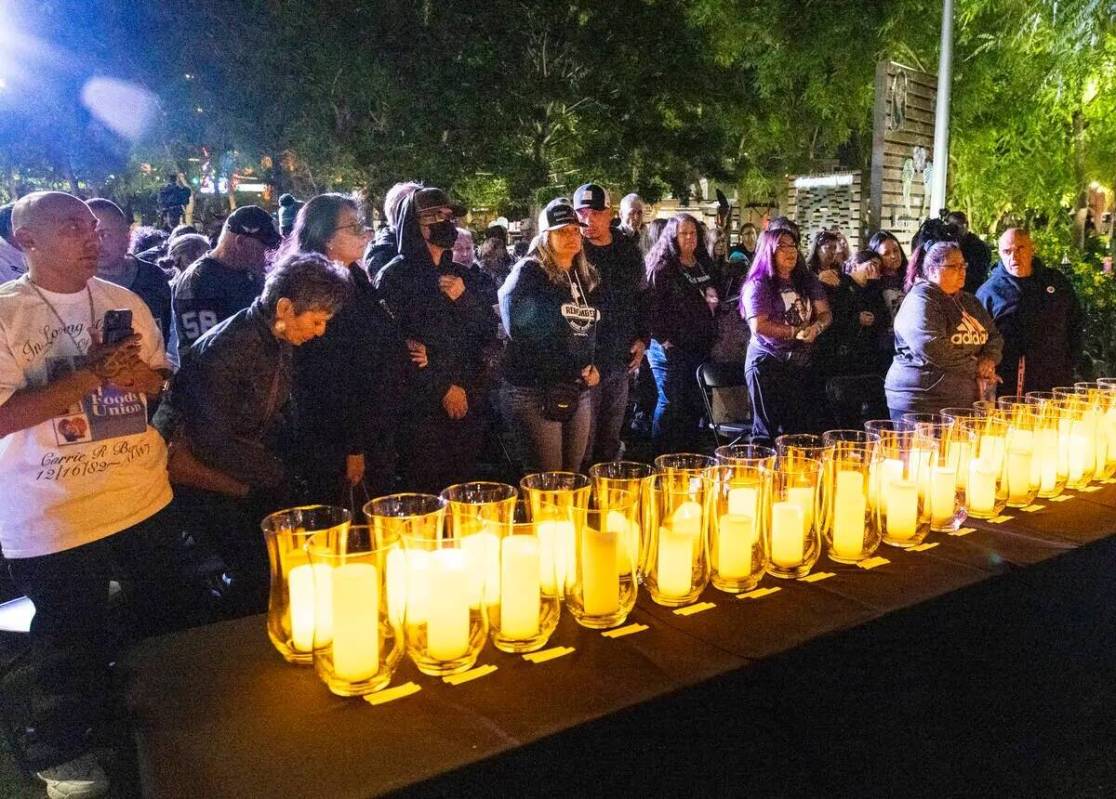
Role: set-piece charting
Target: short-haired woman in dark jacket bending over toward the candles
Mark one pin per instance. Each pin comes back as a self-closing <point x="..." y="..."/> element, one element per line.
<point x="229" y="410"/>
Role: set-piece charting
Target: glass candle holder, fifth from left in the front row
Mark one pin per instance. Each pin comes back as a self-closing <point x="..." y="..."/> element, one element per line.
<point x="678" y="517"/>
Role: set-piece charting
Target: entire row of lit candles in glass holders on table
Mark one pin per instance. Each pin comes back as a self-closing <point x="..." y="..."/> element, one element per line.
<point x="437" y="577"/>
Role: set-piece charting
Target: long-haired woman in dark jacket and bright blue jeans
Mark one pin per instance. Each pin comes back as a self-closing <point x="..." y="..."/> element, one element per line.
<point x="682" y="302"/>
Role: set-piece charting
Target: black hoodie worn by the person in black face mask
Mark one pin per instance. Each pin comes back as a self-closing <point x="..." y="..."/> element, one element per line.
<point x="456" y="333"/>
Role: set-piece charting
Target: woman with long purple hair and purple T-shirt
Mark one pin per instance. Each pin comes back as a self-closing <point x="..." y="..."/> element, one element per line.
<point x="787" y="310"/>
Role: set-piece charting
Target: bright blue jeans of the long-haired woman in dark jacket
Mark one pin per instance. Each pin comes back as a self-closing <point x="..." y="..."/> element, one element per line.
<point x="680" y="407"/>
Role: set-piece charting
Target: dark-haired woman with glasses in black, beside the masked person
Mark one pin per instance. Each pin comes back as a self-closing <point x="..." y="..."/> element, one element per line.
<point x="347" y="383"/>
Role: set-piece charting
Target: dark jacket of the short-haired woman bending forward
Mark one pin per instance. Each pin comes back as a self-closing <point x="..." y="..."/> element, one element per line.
<point x="233" y="399"/>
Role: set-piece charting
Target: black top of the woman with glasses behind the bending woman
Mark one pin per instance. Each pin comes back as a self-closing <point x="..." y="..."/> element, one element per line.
<point x="349" y="382"/>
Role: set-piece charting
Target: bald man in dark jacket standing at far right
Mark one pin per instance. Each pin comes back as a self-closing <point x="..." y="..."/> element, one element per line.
<point x="1038" y="314"/>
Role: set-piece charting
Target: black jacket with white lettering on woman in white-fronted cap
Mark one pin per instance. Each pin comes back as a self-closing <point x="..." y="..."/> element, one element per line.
<point x="550" y="341"/>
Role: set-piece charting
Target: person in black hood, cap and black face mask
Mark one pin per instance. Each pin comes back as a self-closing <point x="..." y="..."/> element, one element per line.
<point x="438" y="304"/>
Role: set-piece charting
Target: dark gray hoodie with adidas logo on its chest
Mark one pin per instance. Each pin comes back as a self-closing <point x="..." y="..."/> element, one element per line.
<point x="938" y="342"/>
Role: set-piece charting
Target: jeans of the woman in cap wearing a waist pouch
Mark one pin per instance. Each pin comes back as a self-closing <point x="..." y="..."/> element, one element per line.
<point x="545" y="446"/>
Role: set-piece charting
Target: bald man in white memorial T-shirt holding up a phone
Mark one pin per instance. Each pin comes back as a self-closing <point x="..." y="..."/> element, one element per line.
<point x="86" y="476"/>
